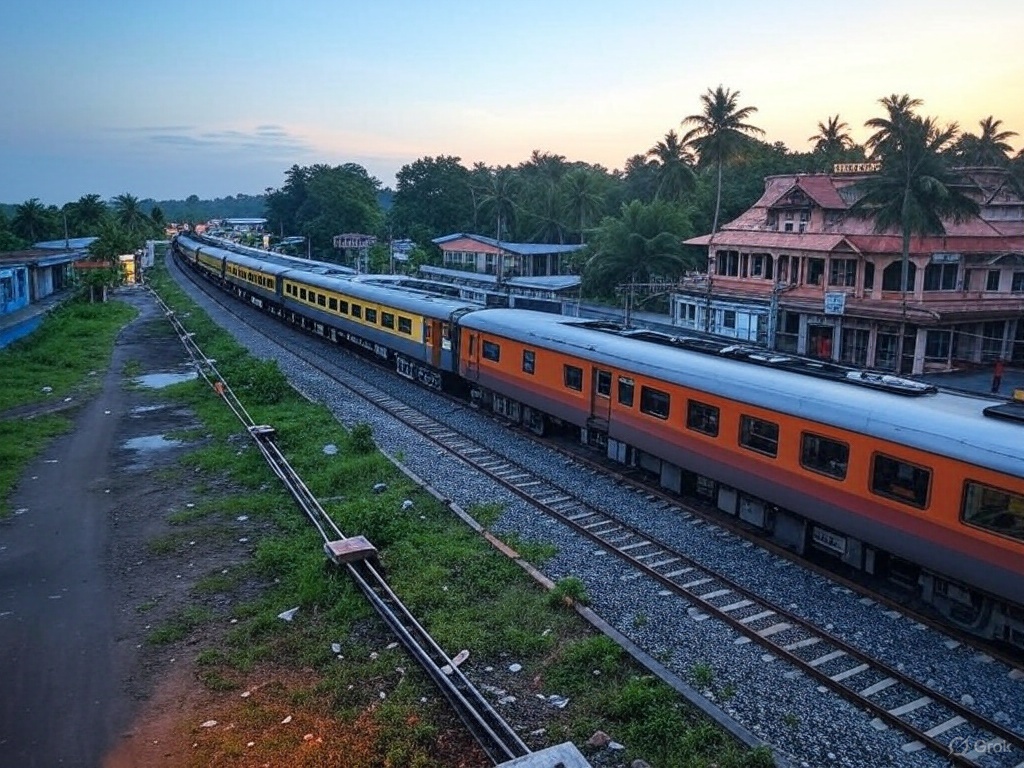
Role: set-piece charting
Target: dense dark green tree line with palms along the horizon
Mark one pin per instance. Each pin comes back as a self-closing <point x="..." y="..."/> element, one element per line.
<point x="632" y="221"/>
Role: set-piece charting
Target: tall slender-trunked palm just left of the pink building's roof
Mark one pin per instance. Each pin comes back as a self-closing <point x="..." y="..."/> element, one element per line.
<point x="719" y="134"/>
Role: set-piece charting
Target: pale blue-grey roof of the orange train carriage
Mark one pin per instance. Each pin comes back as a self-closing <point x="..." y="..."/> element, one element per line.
<point x="942" y="422"/>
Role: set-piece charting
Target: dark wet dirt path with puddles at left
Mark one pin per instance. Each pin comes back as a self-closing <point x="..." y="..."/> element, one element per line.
<point x="76" y="578"/>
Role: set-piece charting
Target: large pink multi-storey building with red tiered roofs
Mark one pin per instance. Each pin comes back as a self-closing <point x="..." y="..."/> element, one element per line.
<point x="800" y="274"/>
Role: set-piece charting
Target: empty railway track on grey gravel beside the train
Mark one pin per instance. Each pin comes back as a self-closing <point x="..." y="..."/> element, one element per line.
<point x="929" y="719"/>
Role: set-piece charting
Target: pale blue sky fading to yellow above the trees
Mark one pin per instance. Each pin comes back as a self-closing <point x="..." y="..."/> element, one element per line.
<point x="166" y="100"/>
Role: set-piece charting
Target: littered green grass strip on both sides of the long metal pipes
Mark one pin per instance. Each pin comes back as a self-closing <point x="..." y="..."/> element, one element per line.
<point x="464" y="593"/>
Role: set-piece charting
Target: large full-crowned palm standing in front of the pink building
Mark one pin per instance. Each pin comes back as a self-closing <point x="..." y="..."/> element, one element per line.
<point x="915" y="192"/>
